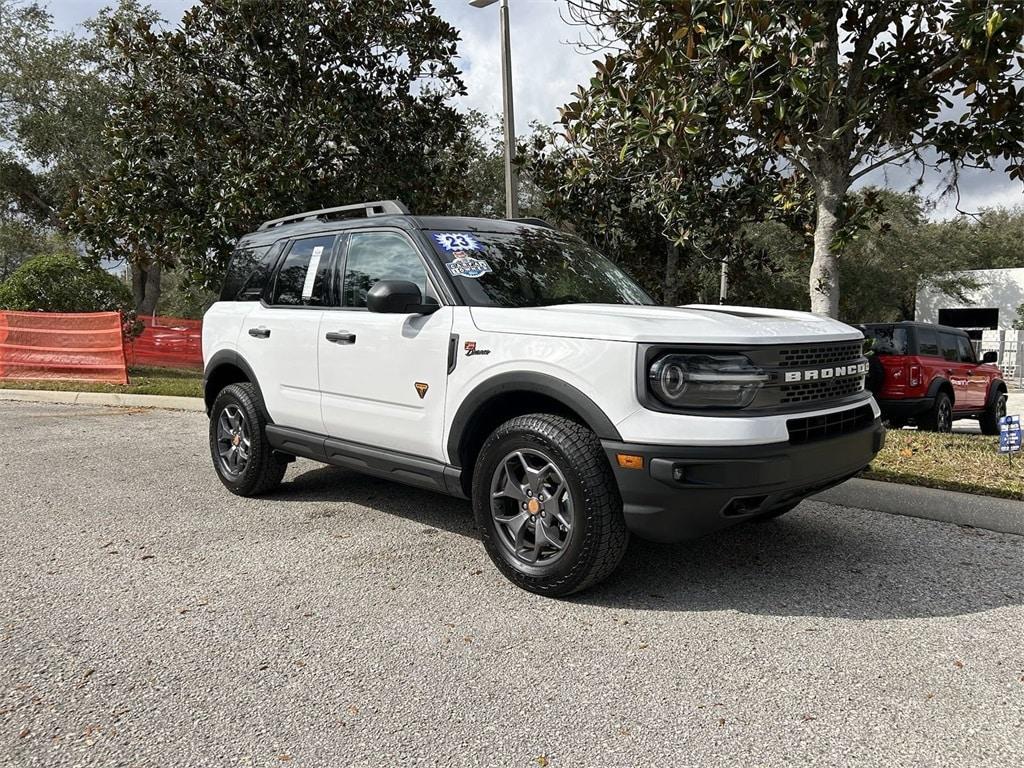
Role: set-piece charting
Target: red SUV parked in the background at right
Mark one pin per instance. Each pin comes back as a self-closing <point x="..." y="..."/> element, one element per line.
<point x="929" y="376"/>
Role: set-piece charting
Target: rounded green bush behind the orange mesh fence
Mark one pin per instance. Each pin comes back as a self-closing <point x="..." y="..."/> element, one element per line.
<point x="64" y="283"/>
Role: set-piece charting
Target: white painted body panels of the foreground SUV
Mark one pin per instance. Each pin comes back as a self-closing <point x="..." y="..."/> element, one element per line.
<point x="366" y="392"/>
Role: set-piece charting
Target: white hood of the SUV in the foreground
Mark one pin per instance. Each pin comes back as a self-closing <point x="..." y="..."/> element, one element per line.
<point x="686" y="325"/>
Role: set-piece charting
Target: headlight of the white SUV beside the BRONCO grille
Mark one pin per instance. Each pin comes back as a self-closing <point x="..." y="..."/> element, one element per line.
<point x="706" y="380"/>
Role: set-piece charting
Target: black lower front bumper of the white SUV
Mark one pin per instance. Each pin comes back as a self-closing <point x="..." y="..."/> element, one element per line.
<point x="688" y="492"/>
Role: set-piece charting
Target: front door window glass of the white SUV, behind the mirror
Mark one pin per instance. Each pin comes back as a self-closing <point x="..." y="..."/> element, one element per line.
<point x="374" y="257"/>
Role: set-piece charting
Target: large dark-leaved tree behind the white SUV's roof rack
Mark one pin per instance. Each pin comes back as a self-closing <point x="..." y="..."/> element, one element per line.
<point x="237" y="117"/>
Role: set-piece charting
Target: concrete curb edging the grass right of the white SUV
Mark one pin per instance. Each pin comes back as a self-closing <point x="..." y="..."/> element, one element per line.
<point x="1001" y="516"/>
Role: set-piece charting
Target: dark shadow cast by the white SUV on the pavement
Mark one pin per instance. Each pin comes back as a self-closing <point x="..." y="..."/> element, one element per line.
<point x="817" y="562"/>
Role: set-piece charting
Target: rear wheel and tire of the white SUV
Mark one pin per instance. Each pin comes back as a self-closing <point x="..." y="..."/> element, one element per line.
<point x="238" y="420"/>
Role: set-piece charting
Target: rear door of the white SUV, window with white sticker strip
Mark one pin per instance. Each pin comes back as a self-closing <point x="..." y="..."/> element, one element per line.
<point x="279" y="337"/>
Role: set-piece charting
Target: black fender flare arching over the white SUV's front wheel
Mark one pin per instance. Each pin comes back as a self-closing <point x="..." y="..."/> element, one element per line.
<point x="534" y="383"/>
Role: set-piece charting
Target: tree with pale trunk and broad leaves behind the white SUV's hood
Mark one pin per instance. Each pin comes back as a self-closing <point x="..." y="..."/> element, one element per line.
<point x="713" y="93"/>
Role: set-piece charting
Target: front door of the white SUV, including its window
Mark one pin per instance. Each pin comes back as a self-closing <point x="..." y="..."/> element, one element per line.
<point x="383" y="377"/>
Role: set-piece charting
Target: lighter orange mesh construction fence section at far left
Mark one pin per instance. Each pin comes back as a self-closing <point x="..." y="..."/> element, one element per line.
<point x="48" y="346"/>
